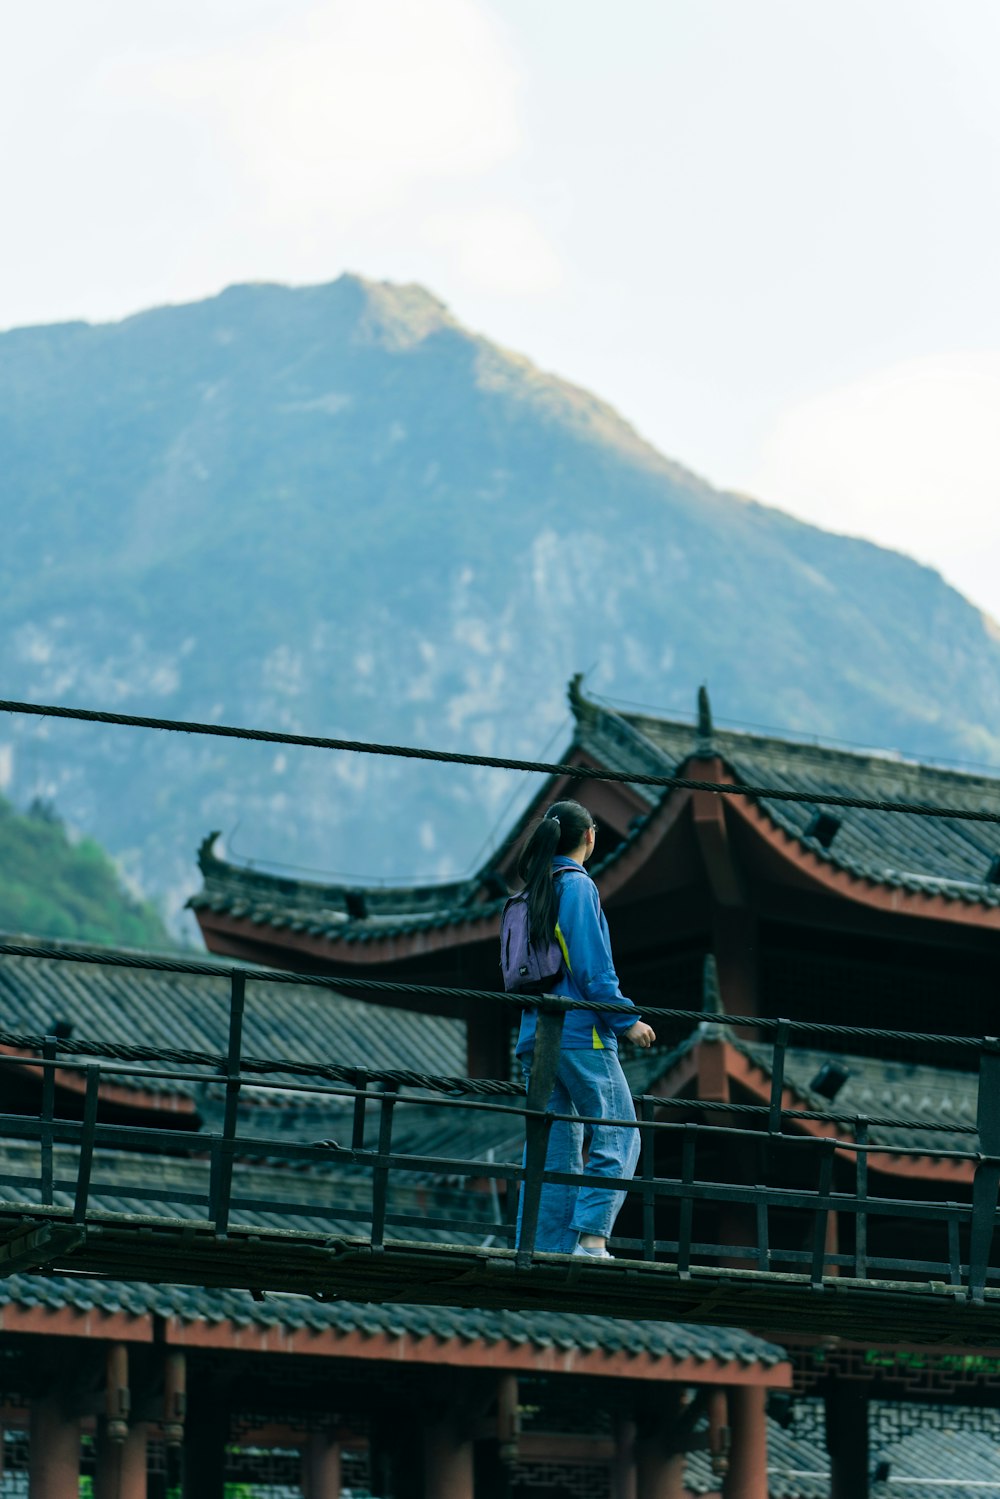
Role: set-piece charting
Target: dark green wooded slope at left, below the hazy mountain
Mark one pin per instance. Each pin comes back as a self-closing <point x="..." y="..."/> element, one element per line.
<point x="53" y="887"/>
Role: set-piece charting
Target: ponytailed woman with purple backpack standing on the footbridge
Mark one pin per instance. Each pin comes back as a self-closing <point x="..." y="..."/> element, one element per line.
<point x="563" y="903"/>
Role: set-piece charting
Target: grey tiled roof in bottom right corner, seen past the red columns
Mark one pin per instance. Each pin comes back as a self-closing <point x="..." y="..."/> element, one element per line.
<point x="938" y="1461"/>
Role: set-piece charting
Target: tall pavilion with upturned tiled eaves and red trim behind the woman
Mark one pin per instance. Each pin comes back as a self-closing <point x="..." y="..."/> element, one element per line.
<point x="732" y="905"/>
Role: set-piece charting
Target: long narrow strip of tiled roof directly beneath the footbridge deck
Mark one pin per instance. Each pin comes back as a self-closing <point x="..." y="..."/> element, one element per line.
<point x="537" y="1329"/>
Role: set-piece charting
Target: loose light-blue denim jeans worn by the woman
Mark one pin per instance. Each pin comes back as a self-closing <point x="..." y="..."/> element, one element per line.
<point x="588" y="1083"/>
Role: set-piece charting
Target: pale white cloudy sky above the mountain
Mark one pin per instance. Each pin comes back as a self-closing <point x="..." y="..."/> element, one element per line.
<point x="767" y="230"/>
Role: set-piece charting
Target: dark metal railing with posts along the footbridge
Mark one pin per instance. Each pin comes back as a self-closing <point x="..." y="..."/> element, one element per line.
<point x="70" y="1165"/>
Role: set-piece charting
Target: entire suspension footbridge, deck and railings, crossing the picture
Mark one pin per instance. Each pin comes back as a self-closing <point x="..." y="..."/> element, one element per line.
<point x="233" y="1209"/>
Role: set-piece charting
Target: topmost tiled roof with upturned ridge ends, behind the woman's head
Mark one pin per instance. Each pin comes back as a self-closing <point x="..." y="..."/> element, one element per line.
<point x="930" y="855"/>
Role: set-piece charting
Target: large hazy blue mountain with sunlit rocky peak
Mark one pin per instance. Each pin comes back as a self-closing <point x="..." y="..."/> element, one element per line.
<point x="335" y="510"/>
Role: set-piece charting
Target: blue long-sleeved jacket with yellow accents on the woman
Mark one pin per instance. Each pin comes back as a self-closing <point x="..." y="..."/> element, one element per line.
<point x="591" y="971"/>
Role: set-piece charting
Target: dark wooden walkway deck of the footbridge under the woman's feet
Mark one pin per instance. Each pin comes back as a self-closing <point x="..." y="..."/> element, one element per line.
<point x="263" y="1261"/>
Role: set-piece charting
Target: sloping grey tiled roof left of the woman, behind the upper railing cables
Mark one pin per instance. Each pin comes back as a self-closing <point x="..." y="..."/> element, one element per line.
<point x="191" y="1011"/>
